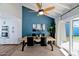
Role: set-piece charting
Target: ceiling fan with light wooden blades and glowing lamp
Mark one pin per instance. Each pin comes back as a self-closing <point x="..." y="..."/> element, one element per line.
<point x="43" y="11"/>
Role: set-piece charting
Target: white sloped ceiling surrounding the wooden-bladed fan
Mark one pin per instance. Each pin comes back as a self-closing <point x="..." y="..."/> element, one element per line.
<point x="60" y="8"/>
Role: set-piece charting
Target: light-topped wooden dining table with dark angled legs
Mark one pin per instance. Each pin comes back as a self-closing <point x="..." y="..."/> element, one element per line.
<point x="37" y="40"/>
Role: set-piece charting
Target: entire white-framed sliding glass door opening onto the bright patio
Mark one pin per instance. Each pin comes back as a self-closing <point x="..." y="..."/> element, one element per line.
<point x="70" y="41"/>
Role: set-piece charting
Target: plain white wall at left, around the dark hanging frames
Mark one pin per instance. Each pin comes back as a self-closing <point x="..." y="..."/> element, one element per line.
<point x="12" y="15"/>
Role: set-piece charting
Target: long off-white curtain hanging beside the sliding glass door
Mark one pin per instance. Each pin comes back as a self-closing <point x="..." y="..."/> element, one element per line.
<point x="60" y="31"/>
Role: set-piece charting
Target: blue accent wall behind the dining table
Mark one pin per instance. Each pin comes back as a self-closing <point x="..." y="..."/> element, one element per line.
<point x="29" y="18"/>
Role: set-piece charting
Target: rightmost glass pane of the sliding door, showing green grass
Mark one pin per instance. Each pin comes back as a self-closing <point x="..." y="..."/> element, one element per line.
<point x="75" y="37"/>
